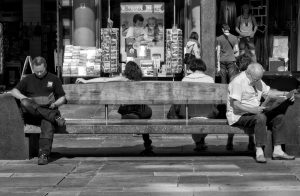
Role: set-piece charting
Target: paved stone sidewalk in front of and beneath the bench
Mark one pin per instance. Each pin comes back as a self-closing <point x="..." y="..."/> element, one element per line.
<point x="111" y="166"/>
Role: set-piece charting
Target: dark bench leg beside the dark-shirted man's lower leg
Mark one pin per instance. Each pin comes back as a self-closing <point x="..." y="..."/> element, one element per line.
<point x="32" y="144"/>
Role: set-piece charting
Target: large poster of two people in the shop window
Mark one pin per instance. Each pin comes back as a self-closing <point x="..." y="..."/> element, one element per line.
<point x="142" y="32"/>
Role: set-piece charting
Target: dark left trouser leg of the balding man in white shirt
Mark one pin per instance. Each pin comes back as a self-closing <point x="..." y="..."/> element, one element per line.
<point x="258" y="122"/>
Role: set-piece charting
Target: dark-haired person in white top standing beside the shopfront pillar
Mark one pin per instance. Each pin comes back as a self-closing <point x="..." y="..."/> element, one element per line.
<point x="193" y="49"/>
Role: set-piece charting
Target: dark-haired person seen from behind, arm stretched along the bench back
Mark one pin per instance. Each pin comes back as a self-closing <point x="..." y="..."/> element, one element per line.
<point x="132" y="72"/>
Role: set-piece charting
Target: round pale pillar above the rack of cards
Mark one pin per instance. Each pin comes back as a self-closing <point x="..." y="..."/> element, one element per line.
<point x="84" y="23"/>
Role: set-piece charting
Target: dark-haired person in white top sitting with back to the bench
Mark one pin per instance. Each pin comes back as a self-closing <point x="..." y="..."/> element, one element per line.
<point x="204" y="111"/>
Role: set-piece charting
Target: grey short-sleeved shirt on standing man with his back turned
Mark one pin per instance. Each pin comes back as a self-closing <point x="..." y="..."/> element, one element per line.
<point x="227" y="51"/>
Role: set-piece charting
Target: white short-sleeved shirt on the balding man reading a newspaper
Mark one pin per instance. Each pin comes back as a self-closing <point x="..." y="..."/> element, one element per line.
<point x="241" y="90"/>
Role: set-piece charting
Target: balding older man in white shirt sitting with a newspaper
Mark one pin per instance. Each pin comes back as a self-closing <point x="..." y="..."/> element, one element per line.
<point x="244" y="110"/>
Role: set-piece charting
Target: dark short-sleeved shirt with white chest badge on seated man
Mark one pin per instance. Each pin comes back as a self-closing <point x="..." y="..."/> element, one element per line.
<point x="43" y="90"/>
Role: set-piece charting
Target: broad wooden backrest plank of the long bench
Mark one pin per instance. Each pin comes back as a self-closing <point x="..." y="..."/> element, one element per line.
<point x="146" y="93"/>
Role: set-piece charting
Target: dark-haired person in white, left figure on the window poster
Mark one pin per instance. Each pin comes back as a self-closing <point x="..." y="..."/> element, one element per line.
<point x="137" y="31"/>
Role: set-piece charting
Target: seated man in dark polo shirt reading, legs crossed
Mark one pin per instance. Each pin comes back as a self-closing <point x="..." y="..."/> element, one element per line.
<point x="41" y="94"/>
